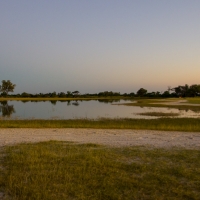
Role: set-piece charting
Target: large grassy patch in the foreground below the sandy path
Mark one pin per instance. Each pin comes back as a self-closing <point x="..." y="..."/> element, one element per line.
<point x="60" y="170"/>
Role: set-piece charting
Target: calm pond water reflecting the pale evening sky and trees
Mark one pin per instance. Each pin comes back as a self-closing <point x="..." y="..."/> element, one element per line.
<point x="92" y="109"/>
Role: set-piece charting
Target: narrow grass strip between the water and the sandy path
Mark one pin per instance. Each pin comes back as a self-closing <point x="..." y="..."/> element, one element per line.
<point x="167" y="124"/>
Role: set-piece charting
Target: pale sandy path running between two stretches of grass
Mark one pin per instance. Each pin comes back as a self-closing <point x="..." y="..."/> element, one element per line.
<point x="118" y="138"/>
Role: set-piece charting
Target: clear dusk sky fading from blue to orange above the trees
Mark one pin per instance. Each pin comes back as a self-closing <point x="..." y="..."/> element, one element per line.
<point x="99" y="45"/>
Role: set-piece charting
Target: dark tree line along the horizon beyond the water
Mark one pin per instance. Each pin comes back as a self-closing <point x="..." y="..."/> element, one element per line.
<point x="179" y="91"/>
